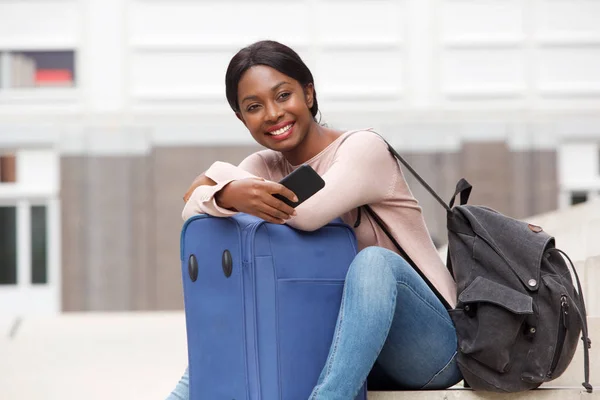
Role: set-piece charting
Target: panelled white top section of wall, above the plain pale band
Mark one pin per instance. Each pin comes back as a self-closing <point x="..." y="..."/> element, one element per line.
<point x="139" y="56"/>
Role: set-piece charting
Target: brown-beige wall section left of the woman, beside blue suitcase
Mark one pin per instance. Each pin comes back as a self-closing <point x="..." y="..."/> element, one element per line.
<point x="121" y="218"/>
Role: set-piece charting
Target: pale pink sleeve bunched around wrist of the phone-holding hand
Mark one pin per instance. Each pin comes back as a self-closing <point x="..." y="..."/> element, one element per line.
<point x="202" y="200"/>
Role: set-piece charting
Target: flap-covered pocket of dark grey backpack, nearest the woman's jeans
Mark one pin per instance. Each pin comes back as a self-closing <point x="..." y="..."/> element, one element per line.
<point x="488" y="318"/>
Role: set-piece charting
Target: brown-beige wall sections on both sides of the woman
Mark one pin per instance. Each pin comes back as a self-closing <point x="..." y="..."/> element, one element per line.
<point x="121" y="215"/>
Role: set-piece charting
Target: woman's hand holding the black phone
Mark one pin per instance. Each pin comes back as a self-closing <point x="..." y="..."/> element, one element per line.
<point x="254" y="196"/>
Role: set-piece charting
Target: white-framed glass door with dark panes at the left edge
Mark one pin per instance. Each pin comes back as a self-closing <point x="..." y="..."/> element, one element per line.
<point x="29" y="233"/>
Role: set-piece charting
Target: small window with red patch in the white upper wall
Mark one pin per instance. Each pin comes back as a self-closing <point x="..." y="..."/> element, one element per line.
<point x="37" y="69"/>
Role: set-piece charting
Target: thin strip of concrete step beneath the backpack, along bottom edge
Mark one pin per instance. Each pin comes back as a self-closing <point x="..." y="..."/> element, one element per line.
<point x="466" y="394"/>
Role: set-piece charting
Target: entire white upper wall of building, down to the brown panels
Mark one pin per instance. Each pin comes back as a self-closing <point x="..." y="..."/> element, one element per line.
<point x="524" y="71"/>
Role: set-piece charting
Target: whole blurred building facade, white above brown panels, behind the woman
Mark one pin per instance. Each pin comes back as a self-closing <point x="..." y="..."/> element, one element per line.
<point x="109" y="109"/>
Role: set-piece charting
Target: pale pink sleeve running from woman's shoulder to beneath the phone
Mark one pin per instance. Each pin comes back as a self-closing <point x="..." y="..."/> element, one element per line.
<point x="363" y="172"/>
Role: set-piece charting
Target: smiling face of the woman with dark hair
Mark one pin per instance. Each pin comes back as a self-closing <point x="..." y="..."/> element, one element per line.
<point x="275" y="108"/>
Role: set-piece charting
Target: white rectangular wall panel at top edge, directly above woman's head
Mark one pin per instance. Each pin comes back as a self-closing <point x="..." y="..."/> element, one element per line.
<point x="226" y="23"/>
